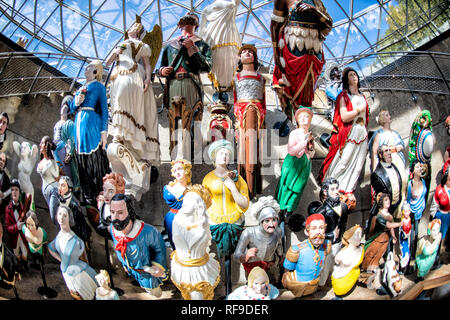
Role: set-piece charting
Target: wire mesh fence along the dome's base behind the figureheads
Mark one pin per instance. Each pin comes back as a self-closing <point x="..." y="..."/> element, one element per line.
<point x="426" y="72"/>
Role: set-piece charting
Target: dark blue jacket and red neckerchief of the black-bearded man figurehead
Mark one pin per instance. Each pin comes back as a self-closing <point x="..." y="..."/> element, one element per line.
<point x="144" y="248"/>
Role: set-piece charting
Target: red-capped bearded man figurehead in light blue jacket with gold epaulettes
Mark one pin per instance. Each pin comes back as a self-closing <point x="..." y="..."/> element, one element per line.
<point x="304" y="262"/>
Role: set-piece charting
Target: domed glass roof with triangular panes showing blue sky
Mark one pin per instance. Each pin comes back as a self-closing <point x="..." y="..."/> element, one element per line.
<point x="374" y="24"/>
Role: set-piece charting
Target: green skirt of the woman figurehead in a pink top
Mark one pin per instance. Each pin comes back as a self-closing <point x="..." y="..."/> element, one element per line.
<point x="294" y="176"/>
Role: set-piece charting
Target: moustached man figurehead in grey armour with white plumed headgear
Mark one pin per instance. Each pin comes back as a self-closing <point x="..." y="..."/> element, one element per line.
<point x="261" y="245"/>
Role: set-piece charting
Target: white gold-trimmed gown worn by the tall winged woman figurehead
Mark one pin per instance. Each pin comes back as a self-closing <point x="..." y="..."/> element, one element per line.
<point x="134" y="115"/>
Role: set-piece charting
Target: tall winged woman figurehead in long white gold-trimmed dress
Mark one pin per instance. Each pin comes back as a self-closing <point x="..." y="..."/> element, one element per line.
<point x="134" y="117"/>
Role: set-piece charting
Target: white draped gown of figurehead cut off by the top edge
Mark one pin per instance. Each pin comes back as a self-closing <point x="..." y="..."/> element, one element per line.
<point x="218" y="28"/>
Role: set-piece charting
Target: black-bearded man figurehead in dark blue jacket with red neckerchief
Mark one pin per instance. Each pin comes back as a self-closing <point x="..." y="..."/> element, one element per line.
<point x="139" y="246"/>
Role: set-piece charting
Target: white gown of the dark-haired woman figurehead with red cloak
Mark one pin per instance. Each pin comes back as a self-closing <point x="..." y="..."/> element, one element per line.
<point x="346" y="167"/>
